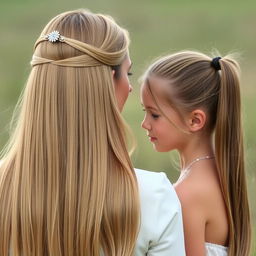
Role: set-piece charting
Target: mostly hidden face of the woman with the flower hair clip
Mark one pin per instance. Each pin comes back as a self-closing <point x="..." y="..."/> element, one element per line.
<point x="122" y="83"/>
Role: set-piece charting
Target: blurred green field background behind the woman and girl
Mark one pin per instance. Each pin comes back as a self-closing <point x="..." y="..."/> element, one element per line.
<point x="156" y="28"/>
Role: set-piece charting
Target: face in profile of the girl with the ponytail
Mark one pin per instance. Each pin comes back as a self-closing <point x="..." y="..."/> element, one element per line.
<point x="162" y="133"/>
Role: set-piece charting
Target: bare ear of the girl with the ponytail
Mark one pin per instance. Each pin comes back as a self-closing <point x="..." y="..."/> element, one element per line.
<point x="196" y="120"/>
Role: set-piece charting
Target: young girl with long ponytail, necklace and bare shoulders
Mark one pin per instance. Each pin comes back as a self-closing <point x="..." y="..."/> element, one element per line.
<point x="192" y="104"/>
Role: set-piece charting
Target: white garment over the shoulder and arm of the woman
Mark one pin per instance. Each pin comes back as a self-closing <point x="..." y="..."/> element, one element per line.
<point x="161" y="228"/>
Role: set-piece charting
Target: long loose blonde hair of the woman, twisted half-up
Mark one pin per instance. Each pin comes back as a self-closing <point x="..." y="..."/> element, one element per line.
<point x="67" y="185"/>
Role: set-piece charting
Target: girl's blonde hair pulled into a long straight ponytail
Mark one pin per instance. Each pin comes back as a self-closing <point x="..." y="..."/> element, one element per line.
<point x="195" y="83"/>
